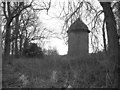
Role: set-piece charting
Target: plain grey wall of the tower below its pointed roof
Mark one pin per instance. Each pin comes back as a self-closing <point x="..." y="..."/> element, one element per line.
<point x="78" y="44"/>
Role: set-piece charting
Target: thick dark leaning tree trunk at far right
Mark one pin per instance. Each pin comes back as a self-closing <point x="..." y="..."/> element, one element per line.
<point x="112" y="39"/>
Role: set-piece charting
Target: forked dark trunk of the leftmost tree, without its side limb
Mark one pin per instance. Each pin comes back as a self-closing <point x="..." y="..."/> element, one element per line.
<point x="8" y="30"/>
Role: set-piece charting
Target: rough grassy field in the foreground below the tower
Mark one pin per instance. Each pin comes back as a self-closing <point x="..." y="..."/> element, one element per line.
<point x="54" y="71"/>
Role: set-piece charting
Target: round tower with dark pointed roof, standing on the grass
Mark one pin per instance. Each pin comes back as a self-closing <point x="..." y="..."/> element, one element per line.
<point x="78" y="39"/>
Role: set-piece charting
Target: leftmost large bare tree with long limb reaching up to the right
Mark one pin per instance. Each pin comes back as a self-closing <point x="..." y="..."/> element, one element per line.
<point x="10" y="12"/>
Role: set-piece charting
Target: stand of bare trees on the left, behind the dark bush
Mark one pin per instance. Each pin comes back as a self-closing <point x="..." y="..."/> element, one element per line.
<point x="21" y="26"/>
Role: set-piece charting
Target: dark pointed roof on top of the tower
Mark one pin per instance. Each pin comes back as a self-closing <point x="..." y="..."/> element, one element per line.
<point x="78" y="25"/>
